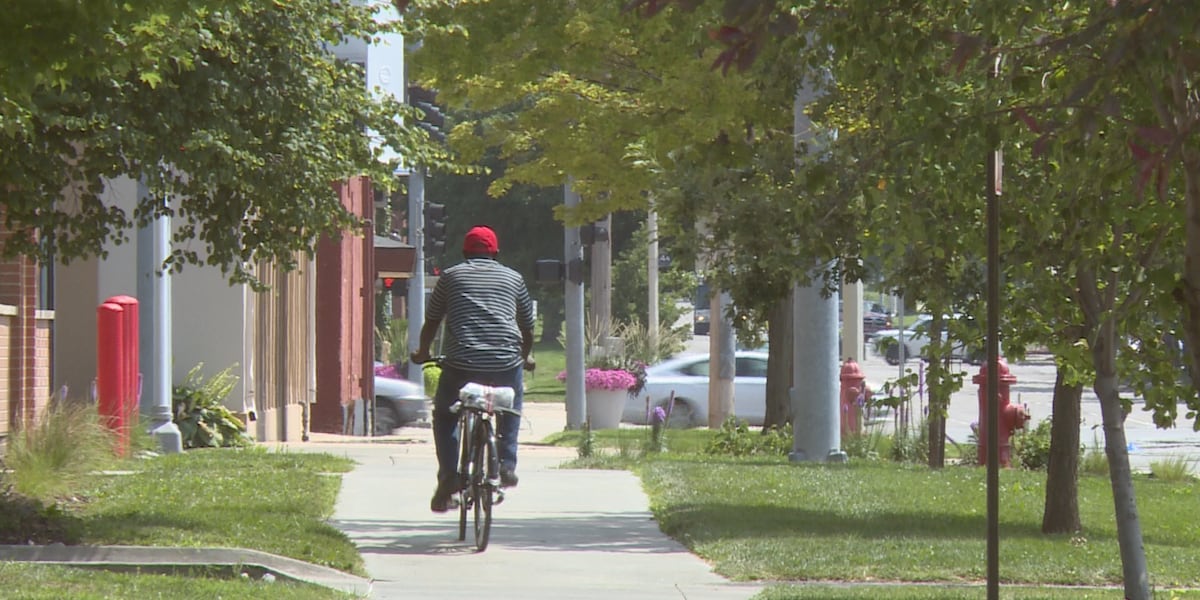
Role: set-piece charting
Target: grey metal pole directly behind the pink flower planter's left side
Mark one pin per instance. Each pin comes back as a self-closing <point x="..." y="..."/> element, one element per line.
<point x="573" y="255"/>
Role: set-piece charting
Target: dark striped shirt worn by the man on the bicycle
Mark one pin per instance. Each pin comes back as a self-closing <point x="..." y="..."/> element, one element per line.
<point x="487" y="307"/>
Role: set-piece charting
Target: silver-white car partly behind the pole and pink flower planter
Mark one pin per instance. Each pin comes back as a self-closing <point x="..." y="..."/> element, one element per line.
<point x="687" y="376"/>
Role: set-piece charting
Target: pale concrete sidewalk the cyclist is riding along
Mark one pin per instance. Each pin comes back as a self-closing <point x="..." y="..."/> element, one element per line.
<point x="561" y="535"/>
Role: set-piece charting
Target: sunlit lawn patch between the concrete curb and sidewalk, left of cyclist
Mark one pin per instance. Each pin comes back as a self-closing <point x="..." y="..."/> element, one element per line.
<point x="247" y="499"/>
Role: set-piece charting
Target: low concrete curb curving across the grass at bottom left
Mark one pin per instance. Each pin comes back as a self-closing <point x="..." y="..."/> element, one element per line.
<point x="167" y="560"/>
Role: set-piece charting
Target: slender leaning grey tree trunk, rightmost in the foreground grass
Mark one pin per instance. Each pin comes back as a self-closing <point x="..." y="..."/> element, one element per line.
<point x="1133" y="553"/>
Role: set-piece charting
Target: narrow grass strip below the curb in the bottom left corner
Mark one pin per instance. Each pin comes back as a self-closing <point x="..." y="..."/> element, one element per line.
<point x="39" y="583"/>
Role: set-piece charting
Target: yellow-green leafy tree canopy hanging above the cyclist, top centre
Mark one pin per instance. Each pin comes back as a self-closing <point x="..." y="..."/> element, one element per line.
<point x="633" y="110"/>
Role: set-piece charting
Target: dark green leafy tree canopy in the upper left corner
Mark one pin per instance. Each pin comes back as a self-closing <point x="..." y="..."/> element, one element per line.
<point x="244" y="121"/>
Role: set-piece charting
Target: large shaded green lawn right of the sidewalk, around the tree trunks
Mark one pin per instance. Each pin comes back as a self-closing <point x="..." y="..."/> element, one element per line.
<point x="771" y="520"/>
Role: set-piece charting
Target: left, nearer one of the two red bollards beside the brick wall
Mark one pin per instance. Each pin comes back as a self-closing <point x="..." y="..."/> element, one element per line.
<point x="111" y="373"/>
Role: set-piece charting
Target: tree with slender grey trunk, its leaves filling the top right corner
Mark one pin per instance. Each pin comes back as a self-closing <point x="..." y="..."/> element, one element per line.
<point x="1079" y="79"/>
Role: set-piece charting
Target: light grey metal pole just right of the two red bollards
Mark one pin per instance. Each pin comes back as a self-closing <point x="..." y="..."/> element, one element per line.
<point x="154" y="327"/>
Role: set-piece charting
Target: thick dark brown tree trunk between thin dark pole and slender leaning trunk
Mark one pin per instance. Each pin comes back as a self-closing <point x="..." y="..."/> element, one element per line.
<point x="1061" y="514"/>
